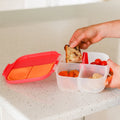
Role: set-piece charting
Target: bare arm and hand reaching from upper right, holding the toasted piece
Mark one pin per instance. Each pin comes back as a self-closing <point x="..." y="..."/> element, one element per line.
<point x="86" y="36"/>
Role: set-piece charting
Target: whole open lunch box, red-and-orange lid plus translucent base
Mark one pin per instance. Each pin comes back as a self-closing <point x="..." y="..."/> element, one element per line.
<point x="34" y="67"/>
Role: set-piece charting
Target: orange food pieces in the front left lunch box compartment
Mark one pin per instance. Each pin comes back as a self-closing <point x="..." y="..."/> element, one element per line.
<point x="71" y="73"/>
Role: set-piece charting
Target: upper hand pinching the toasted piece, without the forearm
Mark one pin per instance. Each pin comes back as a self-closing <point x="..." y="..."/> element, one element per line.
<point x="86" y="36"/>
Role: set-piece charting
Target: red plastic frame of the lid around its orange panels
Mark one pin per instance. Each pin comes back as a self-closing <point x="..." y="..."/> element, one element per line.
<point x="32" y="60"/>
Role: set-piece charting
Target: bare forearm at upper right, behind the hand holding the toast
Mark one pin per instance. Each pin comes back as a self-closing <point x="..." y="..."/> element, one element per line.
<point x="109" y="29"/>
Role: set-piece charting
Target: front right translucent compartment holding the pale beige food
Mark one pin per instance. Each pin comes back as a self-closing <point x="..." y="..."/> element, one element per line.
<point x="88" y="84"/>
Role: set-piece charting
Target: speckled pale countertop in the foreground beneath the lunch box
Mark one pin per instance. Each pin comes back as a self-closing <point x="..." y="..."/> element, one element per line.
<point x="43" y="100"/>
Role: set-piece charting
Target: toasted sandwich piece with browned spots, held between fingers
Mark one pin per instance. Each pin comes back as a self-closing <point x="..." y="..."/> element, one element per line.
<point x="73" y="55"/>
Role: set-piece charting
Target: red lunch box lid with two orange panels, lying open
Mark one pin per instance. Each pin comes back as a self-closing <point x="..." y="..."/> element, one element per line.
<point x="33" y="67"/>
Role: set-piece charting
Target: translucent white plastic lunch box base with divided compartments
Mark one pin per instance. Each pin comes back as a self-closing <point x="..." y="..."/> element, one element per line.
<point x="83" y="82"/>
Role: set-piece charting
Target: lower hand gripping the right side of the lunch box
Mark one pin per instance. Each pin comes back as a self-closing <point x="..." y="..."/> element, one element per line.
<point x="115" y="78"/>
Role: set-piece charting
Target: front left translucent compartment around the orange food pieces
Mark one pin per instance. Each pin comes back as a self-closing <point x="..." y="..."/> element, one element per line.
<point x="67" y="83"/>
